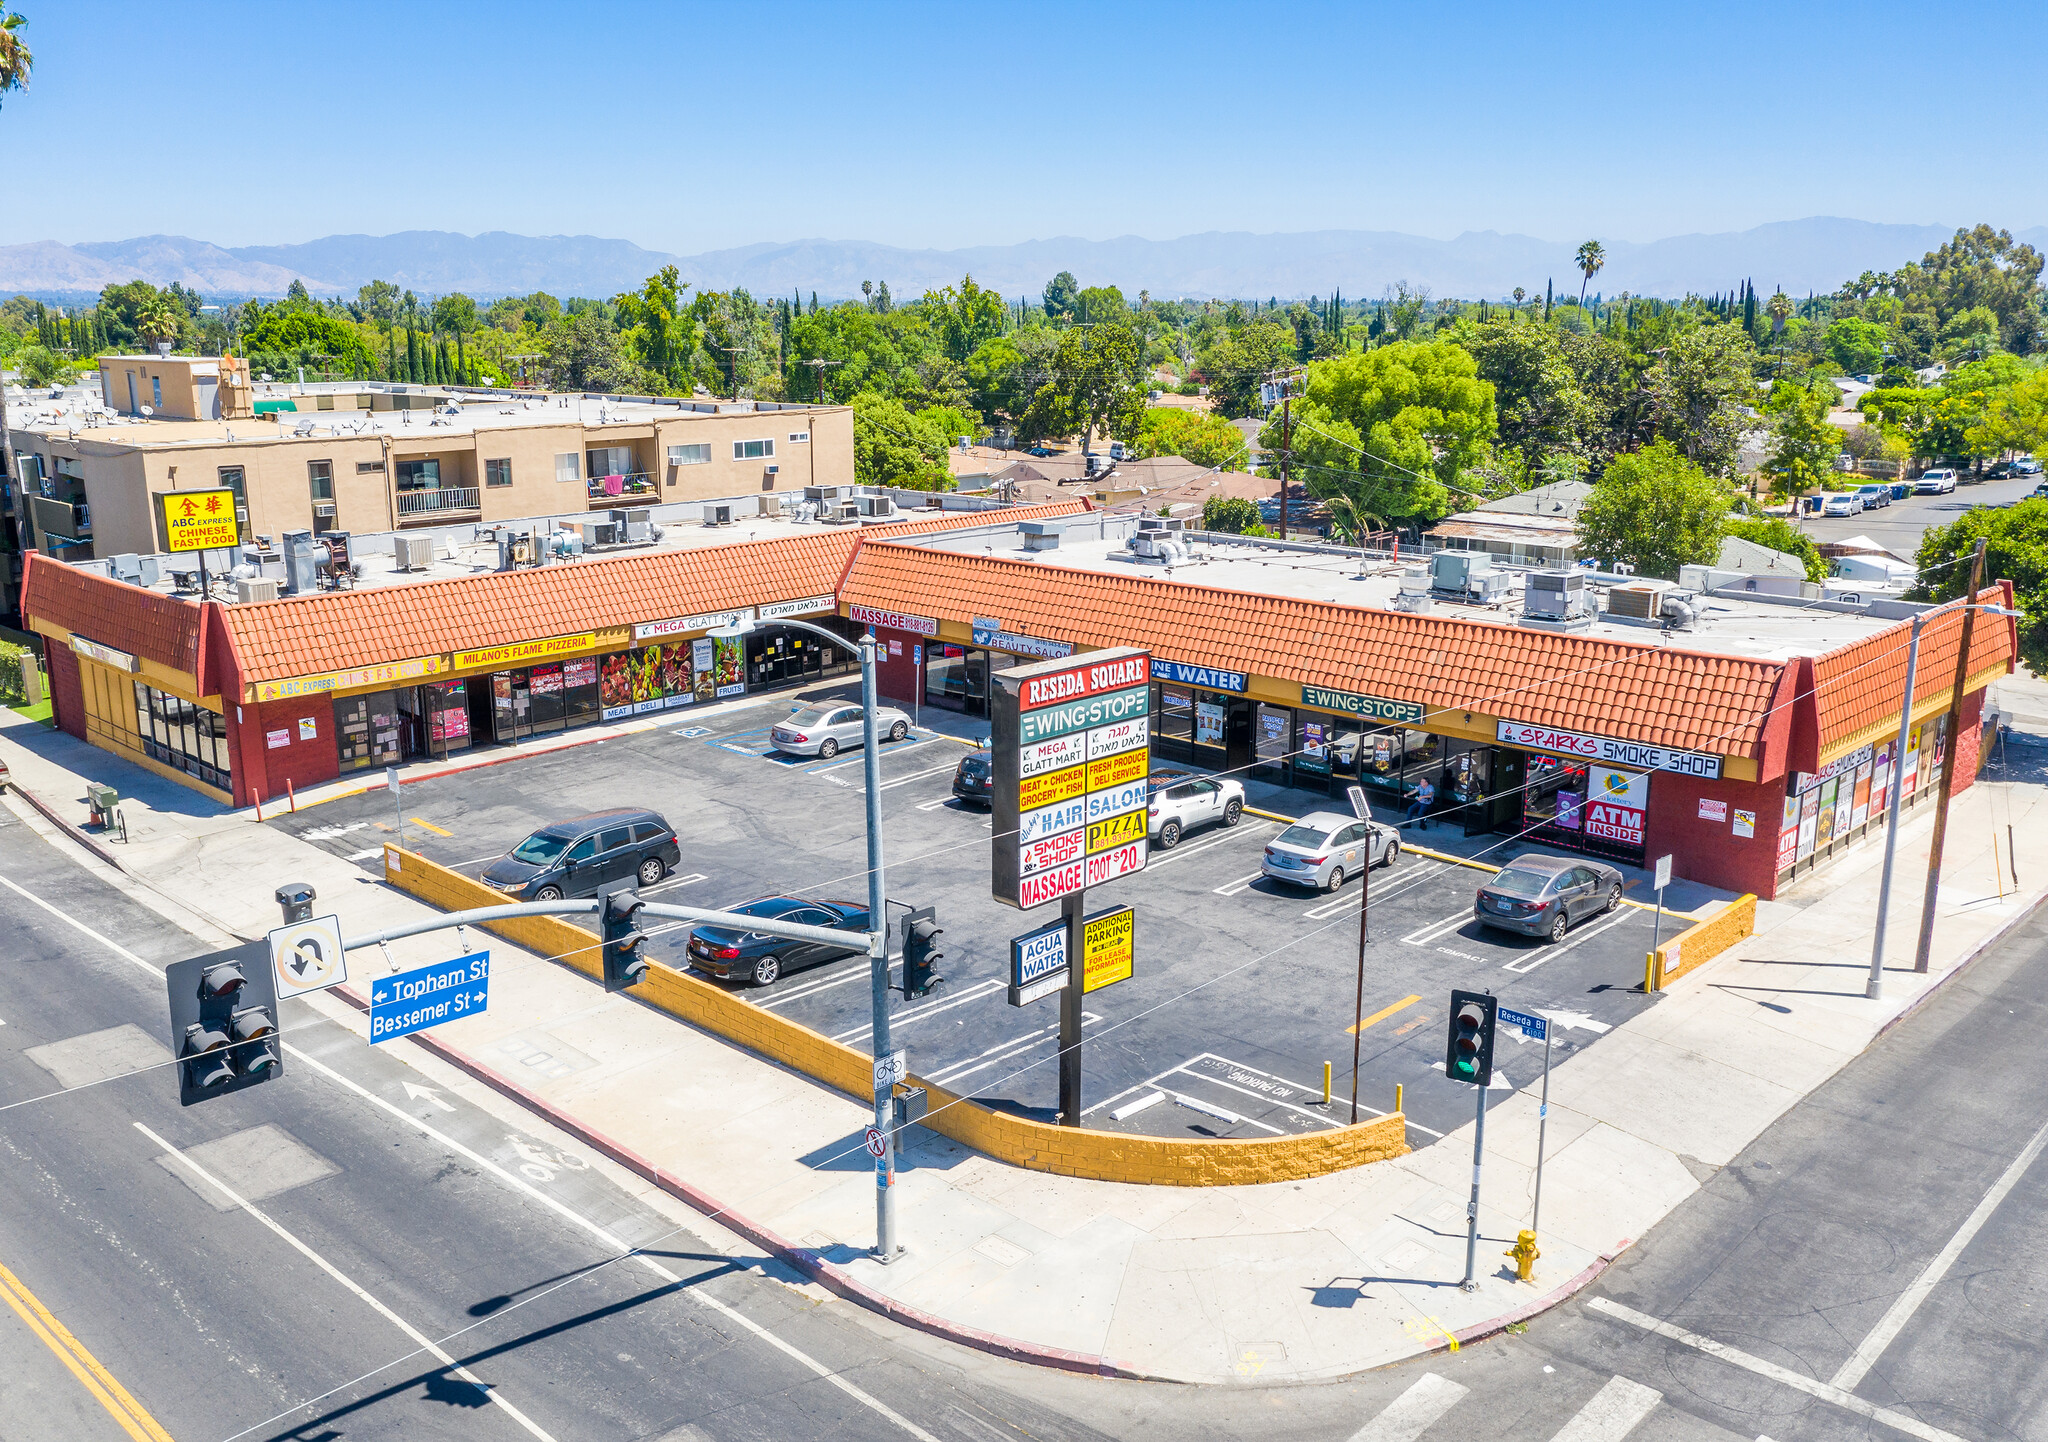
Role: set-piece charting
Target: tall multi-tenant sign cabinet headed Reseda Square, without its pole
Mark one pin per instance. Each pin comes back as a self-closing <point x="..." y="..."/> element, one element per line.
<point x="1072" y="759"/>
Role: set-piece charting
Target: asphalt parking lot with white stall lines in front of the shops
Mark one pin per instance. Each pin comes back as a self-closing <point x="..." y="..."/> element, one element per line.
<point x="1244" y="988"/>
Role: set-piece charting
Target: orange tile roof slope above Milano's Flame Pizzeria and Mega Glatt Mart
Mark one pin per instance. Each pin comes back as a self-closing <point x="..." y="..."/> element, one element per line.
<point x="335" y="632"/>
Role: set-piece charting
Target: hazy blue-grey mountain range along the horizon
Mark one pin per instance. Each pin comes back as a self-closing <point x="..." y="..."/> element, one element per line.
<point x="1799" y="257"/>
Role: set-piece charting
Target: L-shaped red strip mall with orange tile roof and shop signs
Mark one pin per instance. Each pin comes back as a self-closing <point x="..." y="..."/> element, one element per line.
<point x="1752" y="747"/>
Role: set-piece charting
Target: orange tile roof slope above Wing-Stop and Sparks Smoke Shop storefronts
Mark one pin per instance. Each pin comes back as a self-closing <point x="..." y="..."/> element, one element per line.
<point x="1646" y="693"/>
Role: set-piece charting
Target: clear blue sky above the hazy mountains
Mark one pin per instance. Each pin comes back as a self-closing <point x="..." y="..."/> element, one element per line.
<point x="697" y="128"/>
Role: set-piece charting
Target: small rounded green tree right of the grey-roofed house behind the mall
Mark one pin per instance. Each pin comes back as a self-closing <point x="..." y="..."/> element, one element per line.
<point x="1656" y="511"/>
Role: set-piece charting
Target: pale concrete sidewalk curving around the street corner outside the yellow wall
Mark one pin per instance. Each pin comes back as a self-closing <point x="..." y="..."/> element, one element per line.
<point x="1213" y="1285"/>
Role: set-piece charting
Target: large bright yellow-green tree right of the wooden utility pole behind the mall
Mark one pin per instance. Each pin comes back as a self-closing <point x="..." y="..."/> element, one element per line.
<point x="1396" y="431"/>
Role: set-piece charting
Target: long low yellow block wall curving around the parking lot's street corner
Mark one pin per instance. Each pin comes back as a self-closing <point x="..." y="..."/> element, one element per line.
<point x="1017" y="1140"/>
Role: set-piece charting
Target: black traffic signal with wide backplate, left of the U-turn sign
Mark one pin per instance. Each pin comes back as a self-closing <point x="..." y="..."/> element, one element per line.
<point x="224" y="1021"/>
